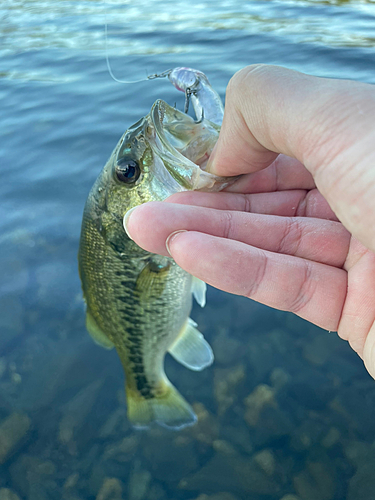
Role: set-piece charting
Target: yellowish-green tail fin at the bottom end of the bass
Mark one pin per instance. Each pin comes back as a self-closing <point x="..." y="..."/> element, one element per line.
<point x="169" y="409"/>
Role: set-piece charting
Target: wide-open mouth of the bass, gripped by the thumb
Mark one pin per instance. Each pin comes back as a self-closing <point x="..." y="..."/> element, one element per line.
<point x="184" y="146"/>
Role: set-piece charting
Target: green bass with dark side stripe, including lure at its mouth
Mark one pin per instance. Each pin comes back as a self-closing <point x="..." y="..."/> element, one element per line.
<point x="137" y="302"/>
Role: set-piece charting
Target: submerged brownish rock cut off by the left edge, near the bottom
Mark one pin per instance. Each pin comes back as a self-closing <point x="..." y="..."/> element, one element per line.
<point x="12" y="431"/>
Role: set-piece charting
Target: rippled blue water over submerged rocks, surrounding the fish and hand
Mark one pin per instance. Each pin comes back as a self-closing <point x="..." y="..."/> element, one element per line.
<point x="62" y="408"/>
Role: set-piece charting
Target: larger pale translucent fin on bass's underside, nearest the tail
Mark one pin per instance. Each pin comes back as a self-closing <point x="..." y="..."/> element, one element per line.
<point x="191" y="349"/>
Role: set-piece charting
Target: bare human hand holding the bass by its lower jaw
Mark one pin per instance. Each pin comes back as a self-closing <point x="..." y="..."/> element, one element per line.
<point x="297" y="232"/>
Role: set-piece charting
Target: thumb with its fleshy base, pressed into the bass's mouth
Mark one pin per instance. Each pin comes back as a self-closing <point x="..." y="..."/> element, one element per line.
<point x="326" y="124"/>
